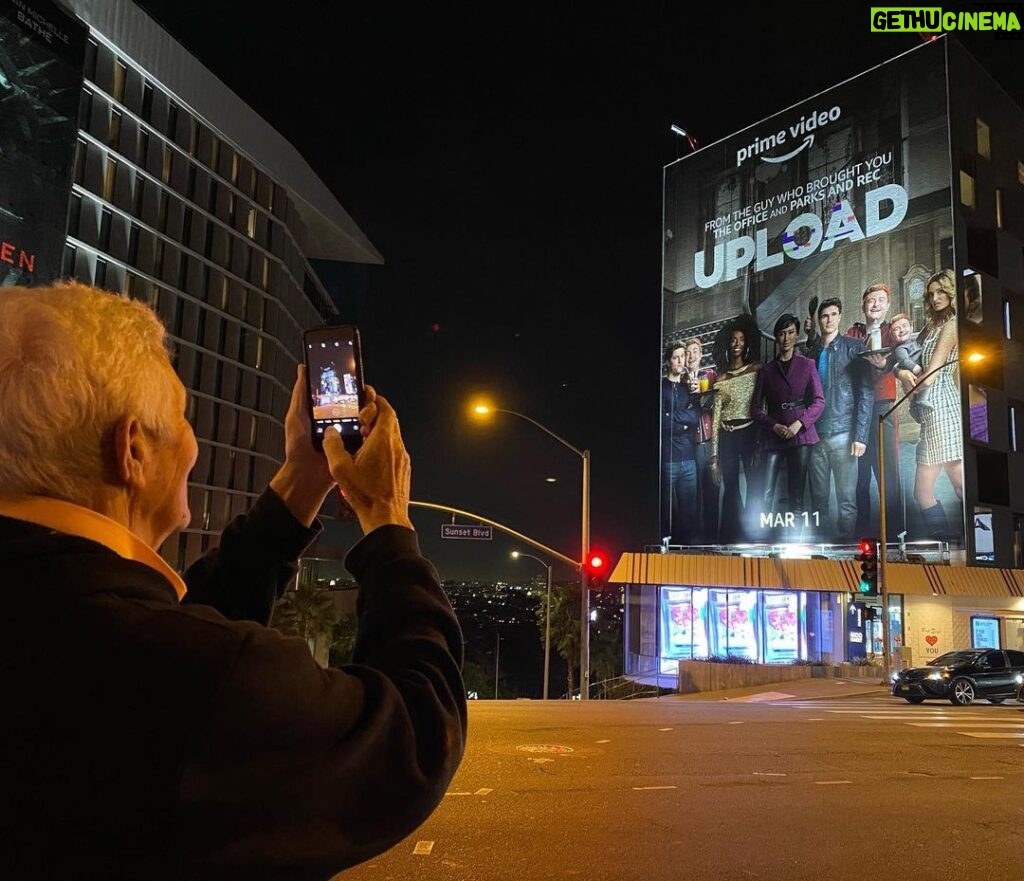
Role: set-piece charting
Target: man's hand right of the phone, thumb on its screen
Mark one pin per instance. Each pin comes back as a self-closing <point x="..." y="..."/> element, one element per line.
<point x="376" y="480"/>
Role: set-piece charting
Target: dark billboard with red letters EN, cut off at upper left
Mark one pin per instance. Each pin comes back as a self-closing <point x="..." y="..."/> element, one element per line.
<point x="42" y="51"/>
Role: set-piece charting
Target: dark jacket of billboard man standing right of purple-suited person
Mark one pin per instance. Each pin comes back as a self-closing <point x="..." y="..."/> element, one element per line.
<point x="849" y="391"/>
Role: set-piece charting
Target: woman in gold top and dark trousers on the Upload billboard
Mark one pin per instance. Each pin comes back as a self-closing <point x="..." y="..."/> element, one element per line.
<point x="734" y="443"/>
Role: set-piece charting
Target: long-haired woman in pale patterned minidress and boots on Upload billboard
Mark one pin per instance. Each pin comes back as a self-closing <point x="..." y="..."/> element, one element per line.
<point x="942" y="445"/>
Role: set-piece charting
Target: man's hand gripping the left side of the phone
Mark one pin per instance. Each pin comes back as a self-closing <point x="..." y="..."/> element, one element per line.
<point x="304" y="481"/>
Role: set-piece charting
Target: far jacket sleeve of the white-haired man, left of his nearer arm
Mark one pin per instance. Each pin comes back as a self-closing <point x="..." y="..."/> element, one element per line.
<point x="254" y="562"/>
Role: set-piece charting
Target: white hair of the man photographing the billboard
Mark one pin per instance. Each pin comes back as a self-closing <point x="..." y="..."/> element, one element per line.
<point x="74" y="360"/>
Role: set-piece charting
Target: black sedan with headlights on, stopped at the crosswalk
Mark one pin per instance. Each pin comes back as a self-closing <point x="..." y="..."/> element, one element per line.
<point x="962" y="677"/>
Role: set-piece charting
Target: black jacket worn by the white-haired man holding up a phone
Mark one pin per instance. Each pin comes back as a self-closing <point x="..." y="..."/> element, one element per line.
<point x="150" y="739"/>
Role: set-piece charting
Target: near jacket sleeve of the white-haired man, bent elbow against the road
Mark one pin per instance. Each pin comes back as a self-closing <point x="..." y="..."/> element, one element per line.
<point x="305" y="772"/>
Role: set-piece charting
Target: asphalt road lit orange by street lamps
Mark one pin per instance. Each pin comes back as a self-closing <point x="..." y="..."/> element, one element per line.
<point x="866" y="787"/>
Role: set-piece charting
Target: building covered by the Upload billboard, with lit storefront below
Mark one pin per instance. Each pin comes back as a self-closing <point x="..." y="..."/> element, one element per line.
<point x="883" y="221"/>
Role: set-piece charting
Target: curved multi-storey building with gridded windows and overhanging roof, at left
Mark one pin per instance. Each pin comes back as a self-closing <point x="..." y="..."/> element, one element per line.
<point x="180" y="195"/>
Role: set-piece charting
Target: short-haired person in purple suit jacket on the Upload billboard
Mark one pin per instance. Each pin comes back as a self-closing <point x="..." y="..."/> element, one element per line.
<point x="788" y="401"/>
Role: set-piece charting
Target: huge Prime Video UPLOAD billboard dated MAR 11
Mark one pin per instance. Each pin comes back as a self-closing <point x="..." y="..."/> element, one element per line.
<point x="808" y="284"/>
